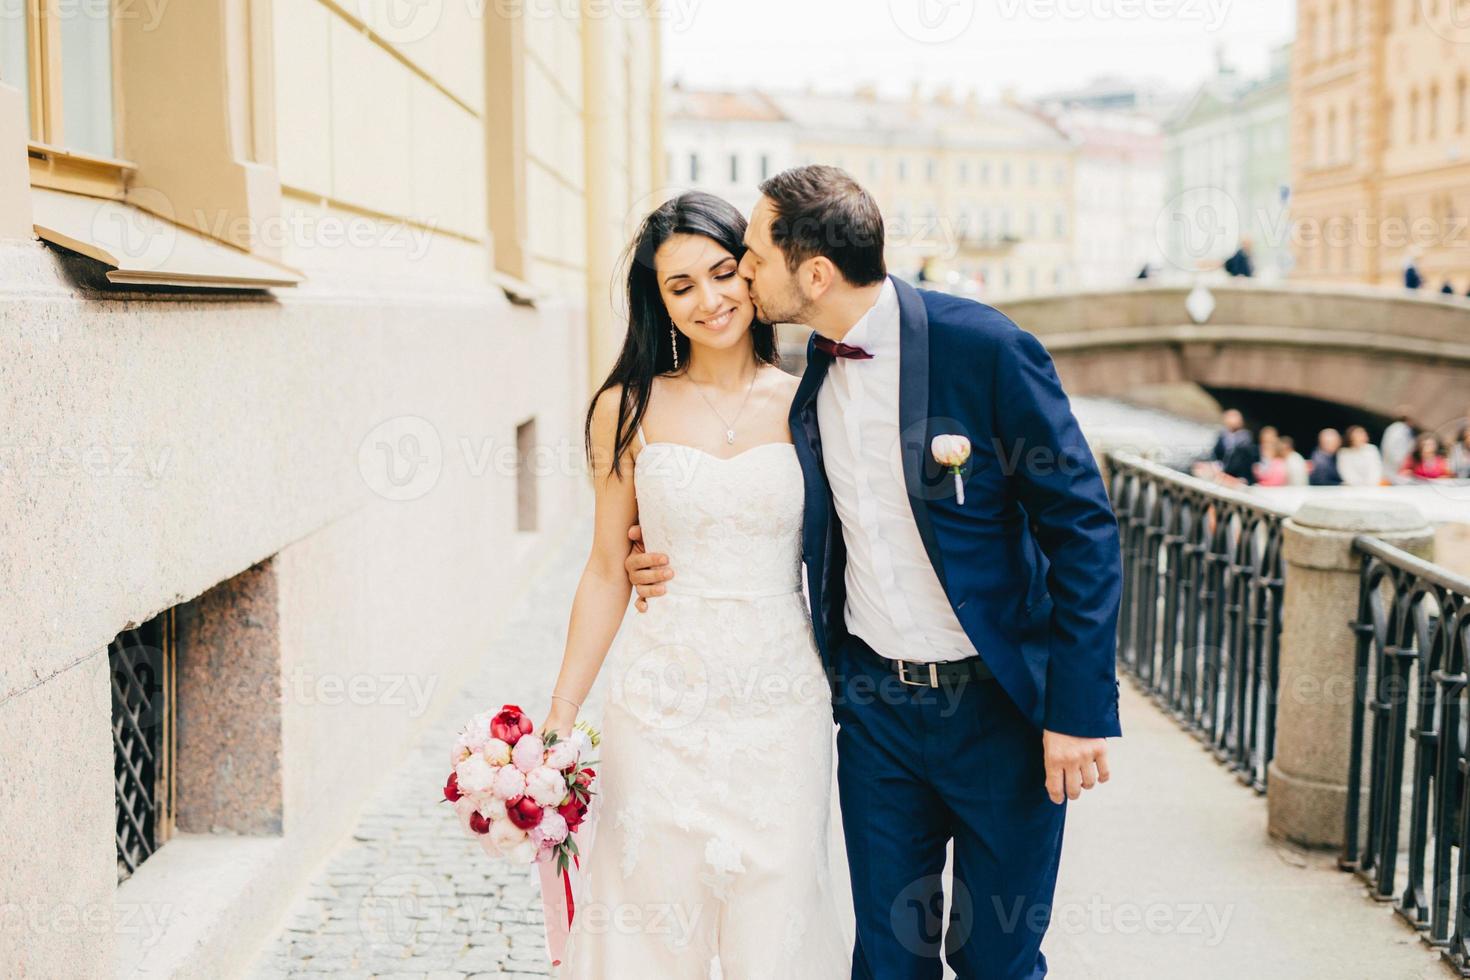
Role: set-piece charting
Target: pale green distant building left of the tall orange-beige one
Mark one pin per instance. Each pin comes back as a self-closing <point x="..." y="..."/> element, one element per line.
<point x="1228" y="170"/>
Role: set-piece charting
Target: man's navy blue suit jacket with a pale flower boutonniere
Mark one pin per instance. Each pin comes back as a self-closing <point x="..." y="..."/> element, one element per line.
<point x="1031" y="561"/>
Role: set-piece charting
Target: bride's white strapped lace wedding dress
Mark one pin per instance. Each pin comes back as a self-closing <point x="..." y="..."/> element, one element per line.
<point x="714" y="854"/>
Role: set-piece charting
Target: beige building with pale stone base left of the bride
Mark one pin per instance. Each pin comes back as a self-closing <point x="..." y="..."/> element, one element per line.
<point x="301" y="309"/>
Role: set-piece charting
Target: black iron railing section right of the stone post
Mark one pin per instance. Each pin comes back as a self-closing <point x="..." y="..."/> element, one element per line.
<point x="1410" y="744"/>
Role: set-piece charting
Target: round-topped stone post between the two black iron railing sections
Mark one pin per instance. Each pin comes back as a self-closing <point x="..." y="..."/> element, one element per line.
<point x="1308" y="787"/>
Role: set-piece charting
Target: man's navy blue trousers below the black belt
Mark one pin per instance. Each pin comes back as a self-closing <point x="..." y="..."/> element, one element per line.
<point x="919" y="768"/>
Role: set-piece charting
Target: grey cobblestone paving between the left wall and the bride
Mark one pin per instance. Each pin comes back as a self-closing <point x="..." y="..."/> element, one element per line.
<point x="409" y="896"/>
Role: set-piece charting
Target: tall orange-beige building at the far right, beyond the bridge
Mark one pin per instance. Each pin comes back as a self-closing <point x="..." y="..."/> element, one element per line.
<point x="1381" y="133"/>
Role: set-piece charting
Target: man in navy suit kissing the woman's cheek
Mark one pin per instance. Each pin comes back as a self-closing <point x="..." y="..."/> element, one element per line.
<point x="971" y="646"/>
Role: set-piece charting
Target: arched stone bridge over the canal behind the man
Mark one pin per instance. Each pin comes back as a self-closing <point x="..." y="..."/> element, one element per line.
<point x="1362" y="347"/>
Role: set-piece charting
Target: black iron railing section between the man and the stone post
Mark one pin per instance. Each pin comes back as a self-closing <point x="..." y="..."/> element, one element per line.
<point x="1200" y="625"/>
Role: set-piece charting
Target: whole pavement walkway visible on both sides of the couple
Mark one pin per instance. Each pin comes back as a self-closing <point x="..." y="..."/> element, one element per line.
<point x="1168" y="872"/>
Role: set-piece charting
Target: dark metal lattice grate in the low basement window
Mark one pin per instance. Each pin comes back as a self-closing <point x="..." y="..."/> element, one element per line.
<point x="142" y="666"/>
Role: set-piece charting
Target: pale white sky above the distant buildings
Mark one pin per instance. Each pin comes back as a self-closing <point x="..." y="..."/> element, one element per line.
<point x="1031" y="46"/>
